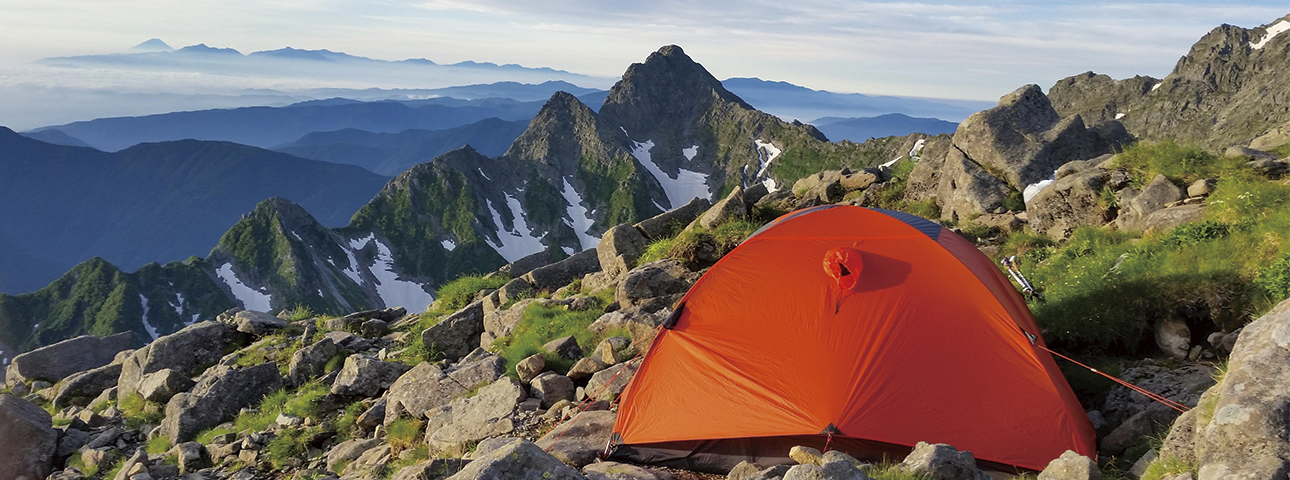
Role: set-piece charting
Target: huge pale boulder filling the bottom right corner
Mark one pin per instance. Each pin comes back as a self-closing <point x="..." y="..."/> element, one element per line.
<point x="1240" y="429"/>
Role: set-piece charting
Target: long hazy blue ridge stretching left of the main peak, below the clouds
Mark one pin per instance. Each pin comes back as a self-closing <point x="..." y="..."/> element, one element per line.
<point x="270" y="127"/>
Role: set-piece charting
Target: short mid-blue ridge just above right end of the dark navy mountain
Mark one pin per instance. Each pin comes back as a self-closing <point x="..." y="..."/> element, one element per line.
<point x="390" y="154"/>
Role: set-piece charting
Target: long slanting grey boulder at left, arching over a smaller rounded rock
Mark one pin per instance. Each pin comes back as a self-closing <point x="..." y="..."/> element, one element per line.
<point x="185" y="352"/>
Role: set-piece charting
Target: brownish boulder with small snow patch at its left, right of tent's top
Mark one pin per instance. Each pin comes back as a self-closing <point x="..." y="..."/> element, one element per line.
<point x="1070" y="203"/>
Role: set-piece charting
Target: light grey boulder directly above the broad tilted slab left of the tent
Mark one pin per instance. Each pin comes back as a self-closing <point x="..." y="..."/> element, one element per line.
<point x="428" y="386"/>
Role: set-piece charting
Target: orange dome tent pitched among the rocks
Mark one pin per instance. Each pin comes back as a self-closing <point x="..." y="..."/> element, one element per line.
<point x="862" y="330"/>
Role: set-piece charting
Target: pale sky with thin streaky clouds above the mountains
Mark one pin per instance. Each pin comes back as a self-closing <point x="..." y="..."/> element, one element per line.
<point x="944" y="50"/>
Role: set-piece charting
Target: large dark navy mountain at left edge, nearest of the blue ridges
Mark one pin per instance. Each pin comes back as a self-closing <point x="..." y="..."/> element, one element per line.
<point x="150" y="203"/>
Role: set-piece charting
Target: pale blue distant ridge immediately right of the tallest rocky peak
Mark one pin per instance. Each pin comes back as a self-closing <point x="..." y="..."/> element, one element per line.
<point x="791" y="101"/>
